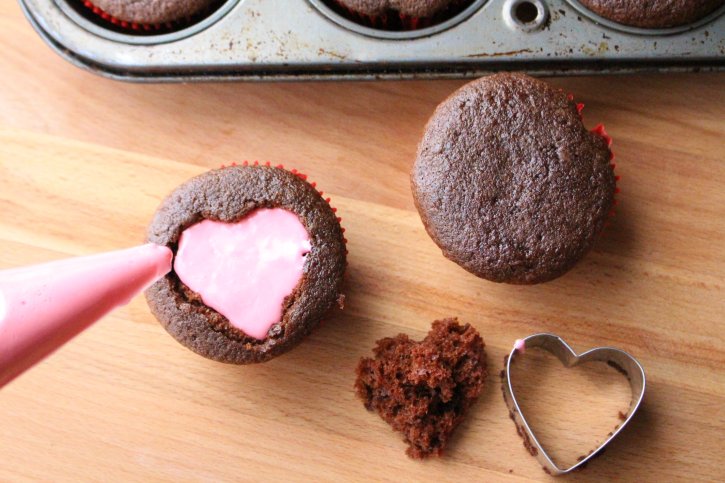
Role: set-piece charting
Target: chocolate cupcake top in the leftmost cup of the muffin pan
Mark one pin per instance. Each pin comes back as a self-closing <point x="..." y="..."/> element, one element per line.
<point x="152" y="12"/>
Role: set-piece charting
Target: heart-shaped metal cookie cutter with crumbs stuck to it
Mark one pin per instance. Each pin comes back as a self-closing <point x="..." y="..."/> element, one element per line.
<point x="620" y="360"/>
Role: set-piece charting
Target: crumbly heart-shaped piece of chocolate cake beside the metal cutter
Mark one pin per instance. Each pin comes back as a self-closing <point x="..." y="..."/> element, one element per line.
<point x="425" y="389"/>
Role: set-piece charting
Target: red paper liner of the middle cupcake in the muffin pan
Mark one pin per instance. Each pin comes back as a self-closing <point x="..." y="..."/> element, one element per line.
<point x="395" y="21"/>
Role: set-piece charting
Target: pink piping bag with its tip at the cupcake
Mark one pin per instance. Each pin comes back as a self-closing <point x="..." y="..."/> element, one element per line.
<point x="44" y="306"/>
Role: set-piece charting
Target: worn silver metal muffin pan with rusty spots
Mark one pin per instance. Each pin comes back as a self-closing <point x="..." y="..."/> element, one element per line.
<point x="306" y="40"/>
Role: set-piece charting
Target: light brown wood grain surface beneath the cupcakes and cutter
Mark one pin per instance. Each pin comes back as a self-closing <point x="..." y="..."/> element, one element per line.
<point x="84" y="161"/>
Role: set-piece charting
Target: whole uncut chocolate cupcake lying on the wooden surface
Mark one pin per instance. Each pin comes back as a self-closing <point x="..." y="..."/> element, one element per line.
<point x="509" y="183"/>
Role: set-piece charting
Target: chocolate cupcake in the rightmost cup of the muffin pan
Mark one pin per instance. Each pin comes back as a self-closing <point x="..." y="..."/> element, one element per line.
<point x="653" y="14"/>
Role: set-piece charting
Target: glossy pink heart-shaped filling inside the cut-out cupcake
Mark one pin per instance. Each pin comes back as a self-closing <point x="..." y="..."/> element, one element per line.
<point x="245" y="270"/>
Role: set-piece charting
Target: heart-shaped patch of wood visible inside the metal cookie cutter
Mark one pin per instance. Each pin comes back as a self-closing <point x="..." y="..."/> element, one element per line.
<point x="571" y="411"/>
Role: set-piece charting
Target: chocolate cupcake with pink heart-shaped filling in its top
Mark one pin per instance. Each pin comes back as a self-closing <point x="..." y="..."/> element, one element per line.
<point x="259" y="259"/>
